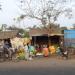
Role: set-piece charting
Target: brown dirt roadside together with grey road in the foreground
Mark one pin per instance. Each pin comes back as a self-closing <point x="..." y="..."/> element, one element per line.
<point x="39" y="66"/>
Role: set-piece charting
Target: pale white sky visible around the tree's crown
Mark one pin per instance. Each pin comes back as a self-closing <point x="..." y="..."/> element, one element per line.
<point x="10" y="11"/>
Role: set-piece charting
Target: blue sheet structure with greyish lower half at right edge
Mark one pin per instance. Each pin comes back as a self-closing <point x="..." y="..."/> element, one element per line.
<point x="69" y="38"/>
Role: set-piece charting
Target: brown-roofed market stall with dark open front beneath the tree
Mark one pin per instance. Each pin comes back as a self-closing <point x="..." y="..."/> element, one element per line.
<point x="46" y="35"/>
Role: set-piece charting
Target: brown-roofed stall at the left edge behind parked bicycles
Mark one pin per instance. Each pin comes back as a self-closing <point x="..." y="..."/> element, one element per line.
<point x="7" y="36"/>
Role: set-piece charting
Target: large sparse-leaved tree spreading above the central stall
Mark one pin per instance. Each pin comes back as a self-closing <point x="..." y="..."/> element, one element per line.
<point x="47" y="11"/>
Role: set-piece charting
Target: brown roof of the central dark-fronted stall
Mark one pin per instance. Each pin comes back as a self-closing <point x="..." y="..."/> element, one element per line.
<point x="44" y="31"/>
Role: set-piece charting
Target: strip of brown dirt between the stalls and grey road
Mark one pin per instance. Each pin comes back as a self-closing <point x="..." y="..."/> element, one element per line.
<point x="39" y="63"/>
